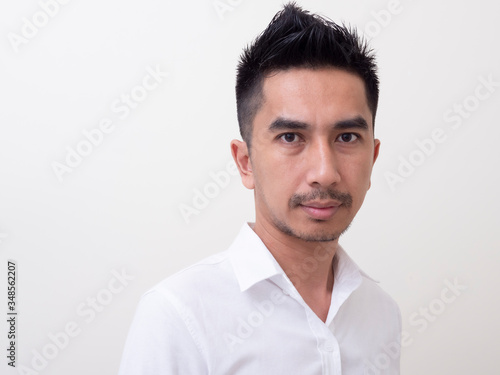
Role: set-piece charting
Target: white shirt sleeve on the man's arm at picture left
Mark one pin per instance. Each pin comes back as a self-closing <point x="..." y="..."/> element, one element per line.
<point x="159" y="342"/>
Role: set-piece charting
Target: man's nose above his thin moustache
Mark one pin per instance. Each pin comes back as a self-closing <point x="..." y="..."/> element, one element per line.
<point x="322" y="166"/>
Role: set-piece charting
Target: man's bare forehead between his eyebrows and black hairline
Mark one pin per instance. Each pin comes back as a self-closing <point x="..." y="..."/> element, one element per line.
<point x="315" y="96"/>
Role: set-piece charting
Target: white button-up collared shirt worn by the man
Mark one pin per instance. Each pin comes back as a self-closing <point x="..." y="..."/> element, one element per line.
<point x="236" y="312"/>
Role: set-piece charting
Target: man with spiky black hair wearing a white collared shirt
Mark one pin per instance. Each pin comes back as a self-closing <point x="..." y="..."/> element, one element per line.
<point x="285" y="298"/>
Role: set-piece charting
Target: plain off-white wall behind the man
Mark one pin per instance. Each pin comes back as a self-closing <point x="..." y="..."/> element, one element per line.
<point x="118" y="210"/>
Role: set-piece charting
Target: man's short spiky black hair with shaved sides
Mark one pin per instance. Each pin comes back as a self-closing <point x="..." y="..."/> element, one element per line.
<point x="297" y="39"/>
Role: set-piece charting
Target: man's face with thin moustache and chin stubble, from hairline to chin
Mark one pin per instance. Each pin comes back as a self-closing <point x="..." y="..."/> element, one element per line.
<point x="312" y="153"/>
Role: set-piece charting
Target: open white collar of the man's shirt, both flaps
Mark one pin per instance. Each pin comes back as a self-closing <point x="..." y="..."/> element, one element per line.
<point x="252" y="262"/>
